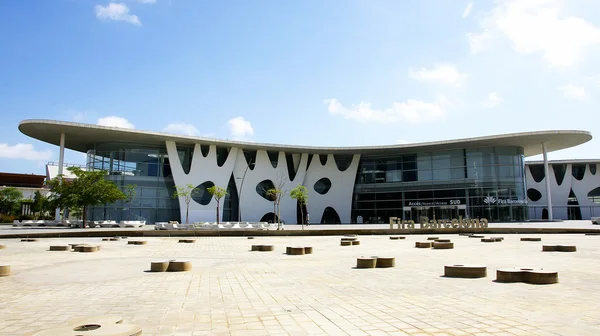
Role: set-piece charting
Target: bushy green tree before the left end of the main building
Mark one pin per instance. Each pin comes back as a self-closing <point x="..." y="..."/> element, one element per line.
<point x="88" y="188"/>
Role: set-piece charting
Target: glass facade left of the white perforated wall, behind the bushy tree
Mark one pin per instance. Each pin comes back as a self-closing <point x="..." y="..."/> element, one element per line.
<point x="146" y="168"/>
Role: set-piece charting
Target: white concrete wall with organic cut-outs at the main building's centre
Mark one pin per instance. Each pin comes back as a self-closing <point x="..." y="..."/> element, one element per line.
<point x="253" y="207"/>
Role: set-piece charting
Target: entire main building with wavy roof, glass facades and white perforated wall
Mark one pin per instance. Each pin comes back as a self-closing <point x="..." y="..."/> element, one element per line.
<point x="474" y="178"/>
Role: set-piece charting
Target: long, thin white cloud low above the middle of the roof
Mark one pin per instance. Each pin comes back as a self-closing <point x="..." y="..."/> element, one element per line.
<point x="411" y="111"/>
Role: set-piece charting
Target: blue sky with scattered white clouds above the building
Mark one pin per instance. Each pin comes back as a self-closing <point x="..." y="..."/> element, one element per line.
<point x="335" y="72"/>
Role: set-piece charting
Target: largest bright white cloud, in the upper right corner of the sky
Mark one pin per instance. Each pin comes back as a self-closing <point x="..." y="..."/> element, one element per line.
<point x="537" y="26"/>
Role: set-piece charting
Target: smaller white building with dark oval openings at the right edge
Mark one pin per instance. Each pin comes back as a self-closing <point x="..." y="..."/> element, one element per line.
<point x="574" y="189"/>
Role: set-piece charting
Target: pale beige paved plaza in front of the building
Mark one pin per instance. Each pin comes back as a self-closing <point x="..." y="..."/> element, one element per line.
<point x="232" y="291"/>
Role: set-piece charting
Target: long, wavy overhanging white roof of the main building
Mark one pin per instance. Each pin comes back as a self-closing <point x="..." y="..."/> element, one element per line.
<point x="81" y="137"/>
